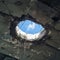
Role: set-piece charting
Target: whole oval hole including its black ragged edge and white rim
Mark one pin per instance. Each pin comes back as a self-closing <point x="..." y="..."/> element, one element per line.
<point x="27" y="29"/>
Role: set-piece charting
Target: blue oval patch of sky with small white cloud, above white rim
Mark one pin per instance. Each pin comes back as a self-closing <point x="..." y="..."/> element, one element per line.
<point x="30" y="27"/>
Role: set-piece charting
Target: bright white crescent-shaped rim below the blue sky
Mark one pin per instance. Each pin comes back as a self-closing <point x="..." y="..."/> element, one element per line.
<point x="29" y="37"/>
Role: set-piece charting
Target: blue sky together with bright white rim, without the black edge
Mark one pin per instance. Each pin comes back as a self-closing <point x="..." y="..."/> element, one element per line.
<point x="29" y="30"/>
